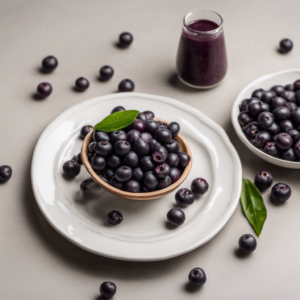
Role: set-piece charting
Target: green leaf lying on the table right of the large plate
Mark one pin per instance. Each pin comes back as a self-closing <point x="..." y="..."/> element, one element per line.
<point x="253" y="206"/>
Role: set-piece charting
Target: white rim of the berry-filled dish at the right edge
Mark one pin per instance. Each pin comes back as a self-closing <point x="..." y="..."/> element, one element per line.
<point x="241" y="135"/>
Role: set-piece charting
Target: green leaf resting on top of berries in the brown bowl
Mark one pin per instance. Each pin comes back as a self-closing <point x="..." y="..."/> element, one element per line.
<point x="117" y="120"/>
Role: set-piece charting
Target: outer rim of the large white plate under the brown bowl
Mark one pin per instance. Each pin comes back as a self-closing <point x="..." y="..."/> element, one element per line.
<point x="216" y="127"/>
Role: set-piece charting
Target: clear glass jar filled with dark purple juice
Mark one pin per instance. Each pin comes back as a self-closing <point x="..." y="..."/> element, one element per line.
<point x="201" y="57"/>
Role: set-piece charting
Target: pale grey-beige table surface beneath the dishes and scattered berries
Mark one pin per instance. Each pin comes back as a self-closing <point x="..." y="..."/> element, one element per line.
<point x="36" y="262"/>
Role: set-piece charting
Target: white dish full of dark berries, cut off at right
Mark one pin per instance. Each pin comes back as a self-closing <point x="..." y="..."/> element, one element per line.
<point x="264" y="82"/>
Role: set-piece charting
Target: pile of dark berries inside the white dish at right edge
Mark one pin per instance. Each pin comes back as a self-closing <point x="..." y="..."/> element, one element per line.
<point x="271" y="120"/>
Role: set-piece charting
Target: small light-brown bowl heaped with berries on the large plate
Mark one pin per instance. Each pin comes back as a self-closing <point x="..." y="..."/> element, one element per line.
<point x="137" y="196"/>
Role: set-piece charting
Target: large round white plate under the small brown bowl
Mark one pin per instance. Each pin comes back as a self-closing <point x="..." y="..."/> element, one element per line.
<point x="144" y="234"/>
